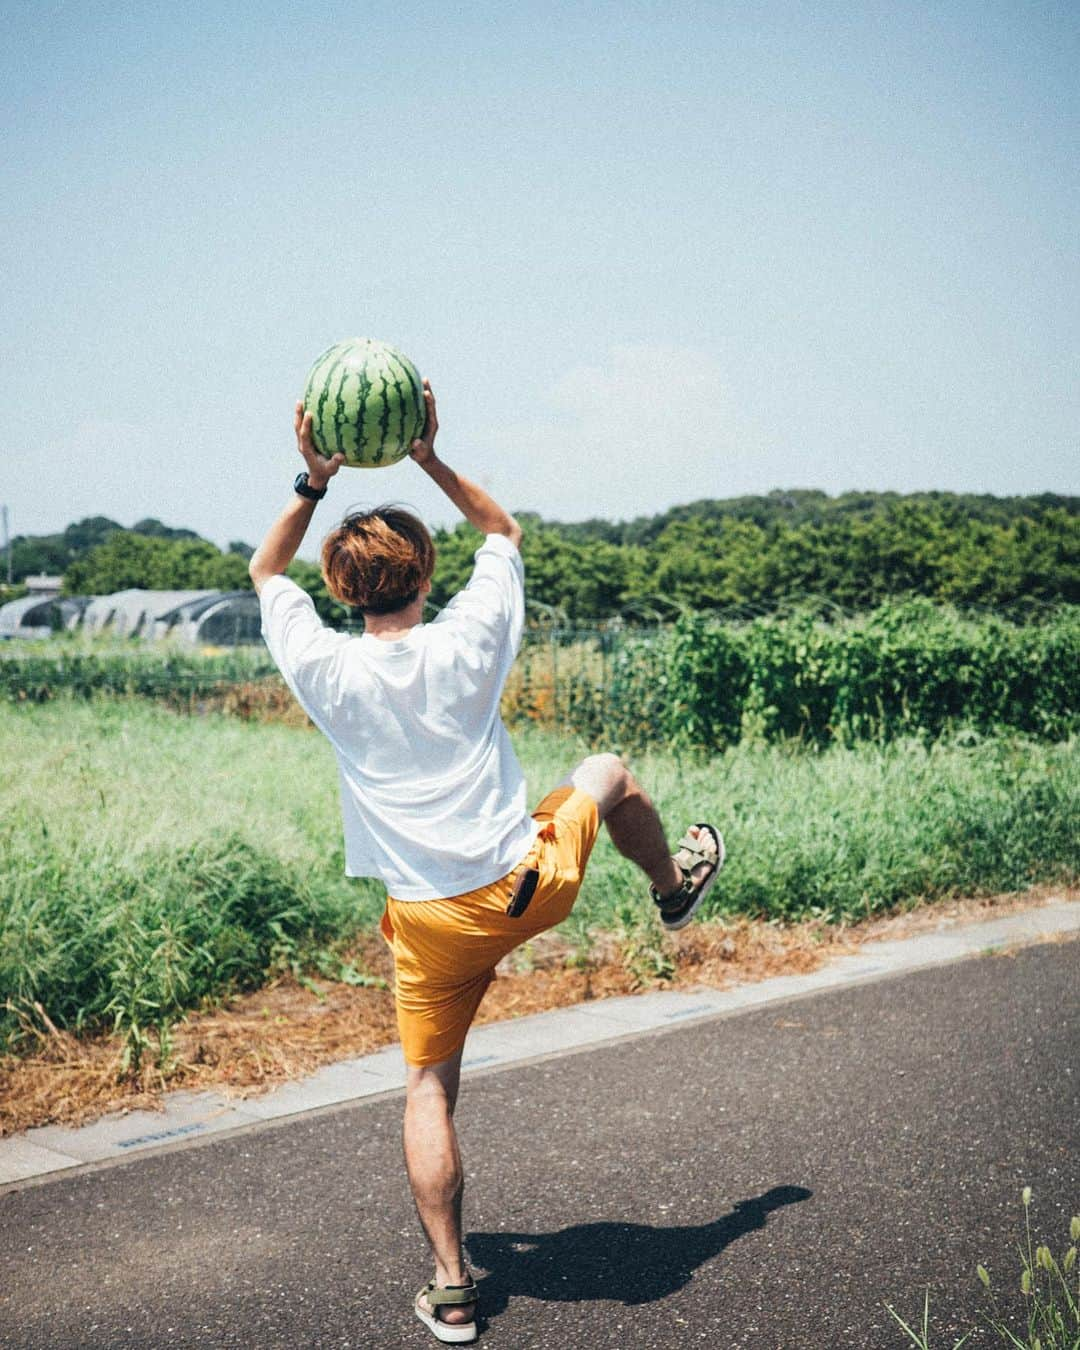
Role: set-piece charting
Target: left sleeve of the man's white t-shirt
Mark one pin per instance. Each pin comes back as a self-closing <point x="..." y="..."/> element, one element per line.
<point x="304" y="650"/>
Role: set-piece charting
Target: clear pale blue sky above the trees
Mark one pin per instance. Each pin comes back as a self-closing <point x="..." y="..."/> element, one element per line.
<point x="646" y="253"/>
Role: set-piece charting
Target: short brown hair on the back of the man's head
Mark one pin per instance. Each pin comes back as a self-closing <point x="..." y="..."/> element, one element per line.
<point x="377" y="561"/>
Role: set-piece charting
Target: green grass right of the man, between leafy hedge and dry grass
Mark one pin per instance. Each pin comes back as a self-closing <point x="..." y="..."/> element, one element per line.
<point x="850" y="832"/>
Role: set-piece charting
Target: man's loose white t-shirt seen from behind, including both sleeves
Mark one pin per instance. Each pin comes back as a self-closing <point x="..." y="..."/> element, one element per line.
<point x="433" y="794"/>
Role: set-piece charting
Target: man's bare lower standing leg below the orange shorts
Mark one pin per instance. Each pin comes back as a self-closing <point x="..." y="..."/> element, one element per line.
<point x="435" y="1172"/>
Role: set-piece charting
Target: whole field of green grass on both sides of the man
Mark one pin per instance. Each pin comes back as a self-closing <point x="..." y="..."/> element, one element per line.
<point x="152" y="861"/>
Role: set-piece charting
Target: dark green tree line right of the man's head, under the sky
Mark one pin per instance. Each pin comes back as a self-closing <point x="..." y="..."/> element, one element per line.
<point x="758" y="556"/>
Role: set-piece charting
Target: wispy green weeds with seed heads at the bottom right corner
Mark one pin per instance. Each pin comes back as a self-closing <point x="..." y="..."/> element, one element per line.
<point x="1051" y="1291"/>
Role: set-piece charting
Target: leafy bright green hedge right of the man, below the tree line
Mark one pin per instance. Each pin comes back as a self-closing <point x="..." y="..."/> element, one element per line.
<point x="905" y="670"/>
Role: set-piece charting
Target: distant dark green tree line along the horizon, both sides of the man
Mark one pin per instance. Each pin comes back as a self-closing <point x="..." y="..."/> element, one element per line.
<point x="740" y="556"/>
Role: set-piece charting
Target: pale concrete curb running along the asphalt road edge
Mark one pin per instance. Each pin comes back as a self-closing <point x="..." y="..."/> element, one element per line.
<point x="190" y="1117"/>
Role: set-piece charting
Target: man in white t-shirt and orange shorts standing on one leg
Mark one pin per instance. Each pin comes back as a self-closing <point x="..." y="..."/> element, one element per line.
<point x="434" y="799"/>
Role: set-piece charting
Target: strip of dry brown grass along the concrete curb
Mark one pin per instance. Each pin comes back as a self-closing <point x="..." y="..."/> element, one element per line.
<point x="287" y="1031"/>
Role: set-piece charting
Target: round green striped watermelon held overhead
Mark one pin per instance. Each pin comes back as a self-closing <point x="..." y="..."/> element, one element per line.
<point x="367" y="403"/>
